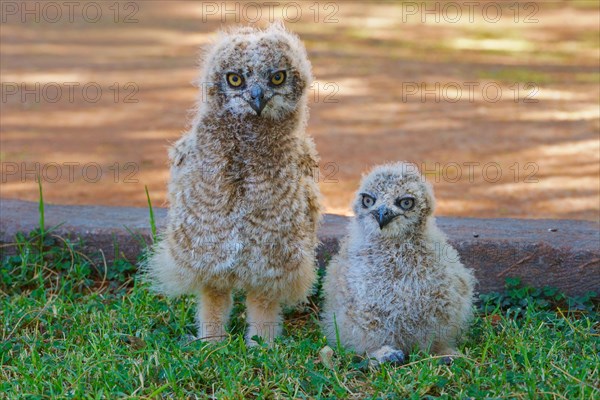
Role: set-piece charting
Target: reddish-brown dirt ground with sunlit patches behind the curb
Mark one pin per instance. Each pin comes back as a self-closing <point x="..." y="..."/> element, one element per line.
<point x="510" y="130"/>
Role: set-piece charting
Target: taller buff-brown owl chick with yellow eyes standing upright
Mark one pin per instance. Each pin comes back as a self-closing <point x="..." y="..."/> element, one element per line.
<point x="244" y="205"/>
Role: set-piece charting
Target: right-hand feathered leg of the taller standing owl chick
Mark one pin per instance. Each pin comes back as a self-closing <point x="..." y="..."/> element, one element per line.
<point x="263" y="317"/>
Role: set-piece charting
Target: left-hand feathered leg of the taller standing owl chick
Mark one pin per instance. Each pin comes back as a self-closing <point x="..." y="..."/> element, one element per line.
<point x="212" y="315"/>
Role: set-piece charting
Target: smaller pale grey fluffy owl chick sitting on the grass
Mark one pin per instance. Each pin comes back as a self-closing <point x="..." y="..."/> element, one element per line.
<point x="396" y="282"/>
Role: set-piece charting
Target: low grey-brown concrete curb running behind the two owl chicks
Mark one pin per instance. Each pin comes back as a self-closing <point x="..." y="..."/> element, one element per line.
<point x="560" y="253"/>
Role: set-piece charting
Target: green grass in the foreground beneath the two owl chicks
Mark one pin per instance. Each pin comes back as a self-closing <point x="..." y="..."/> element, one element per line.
<point x="74" y="329"/>
